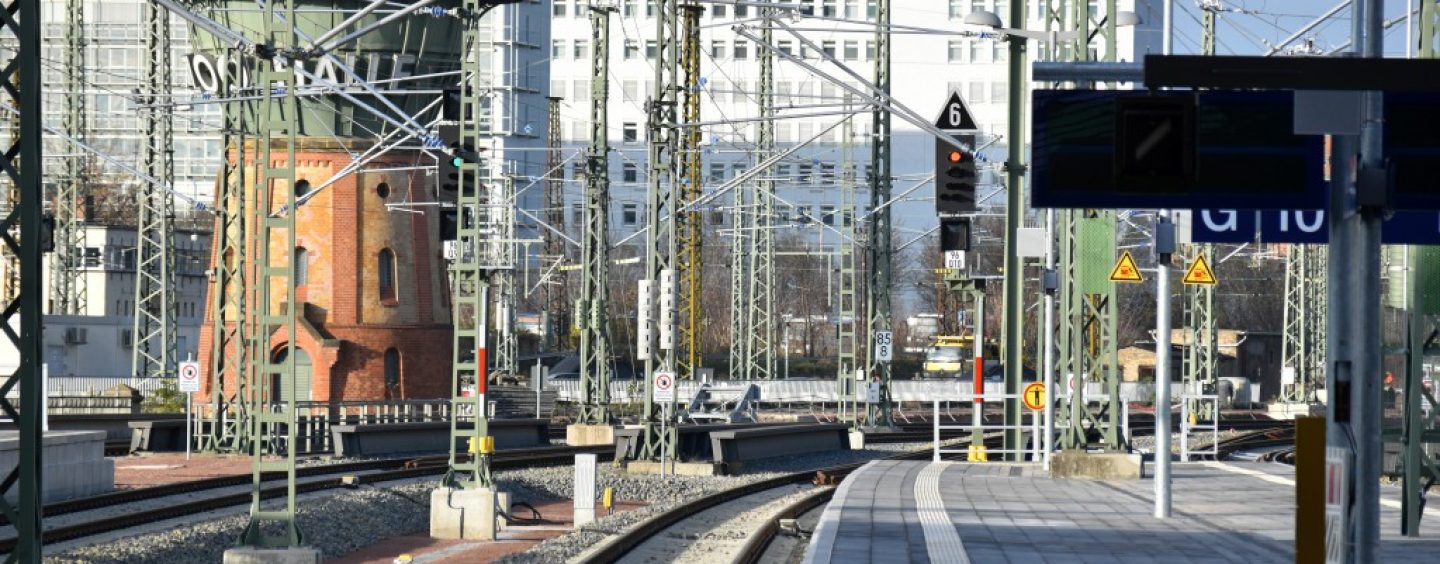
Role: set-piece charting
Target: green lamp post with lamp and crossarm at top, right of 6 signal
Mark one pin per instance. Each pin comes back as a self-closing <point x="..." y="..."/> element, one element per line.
<point x="1013" y="340"/>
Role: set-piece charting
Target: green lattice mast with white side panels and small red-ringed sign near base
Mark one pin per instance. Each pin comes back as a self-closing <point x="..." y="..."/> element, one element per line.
<point x="662" y="238"/>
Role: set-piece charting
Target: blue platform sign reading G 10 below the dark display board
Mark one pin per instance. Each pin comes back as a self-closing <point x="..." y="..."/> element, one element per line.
<point x="1305" y="227"/>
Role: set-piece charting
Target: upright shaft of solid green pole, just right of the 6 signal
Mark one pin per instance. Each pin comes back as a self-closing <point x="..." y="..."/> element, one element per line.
<point x="1014" y="214"/>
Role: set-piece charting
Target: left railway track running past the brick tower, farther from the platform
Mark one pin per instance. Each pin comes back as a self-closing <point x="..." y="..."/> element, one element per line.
<point x="408" y="468"/>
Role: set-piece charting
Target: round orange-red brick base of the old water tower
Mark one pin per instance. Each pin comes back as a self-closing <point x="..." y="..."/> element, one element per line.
<point x="375" y="320"/>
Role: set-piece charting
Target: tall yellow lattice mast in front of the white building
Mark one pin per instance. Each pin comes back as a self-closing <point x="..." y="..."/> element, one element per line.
<point x="690" y="225"/>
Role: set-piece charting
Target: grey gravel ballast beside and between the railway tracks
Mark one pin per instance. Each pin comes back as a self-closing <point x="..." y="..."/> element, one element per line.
<point x="341" y="523"/>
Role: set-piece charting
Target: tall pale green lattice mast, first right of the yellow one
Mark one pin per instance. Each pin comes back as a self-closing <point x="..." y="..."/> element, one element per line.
<point x="760" y="363"/>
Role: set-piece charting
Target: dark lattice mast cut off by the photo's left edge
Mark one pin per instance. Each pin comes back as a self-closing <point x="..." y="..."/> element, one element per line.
<point x="22" y="162"/>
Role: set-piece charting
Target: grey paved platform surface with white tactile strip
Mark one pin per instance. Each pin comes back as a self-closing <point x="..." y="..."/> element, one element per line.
<point x="996" y="513"/>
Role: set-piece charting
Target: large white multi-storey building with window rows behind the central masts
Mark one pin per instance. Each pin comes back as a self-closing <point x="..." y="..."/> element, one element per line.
<point x="925" y="68"/>
